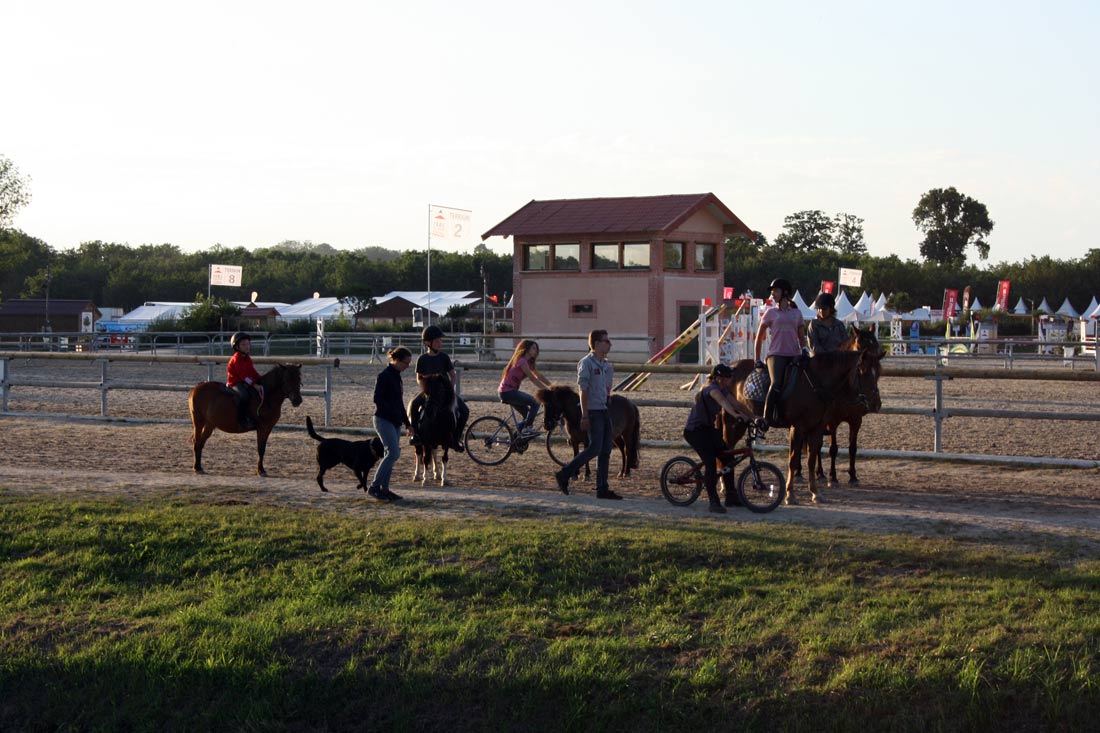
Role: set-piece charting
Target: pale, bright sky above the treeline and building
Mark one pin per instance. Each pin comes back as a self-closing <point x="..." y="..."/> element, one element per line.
<point x="247" y="124"/>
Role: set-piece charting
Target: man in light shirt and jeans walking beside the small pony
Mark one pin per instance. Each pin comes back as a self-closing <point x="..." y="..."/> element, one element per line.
<point x="595" y="379"/>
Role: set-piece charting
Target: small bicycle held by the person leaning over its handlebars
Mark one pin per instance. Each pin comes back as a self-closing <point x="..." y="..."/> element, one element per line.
<point x="761" y="486"/>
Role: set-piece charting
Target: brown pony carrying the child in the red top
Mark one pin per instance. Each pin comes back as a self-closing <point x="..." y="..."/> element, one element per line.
<point x="214" y="407"/>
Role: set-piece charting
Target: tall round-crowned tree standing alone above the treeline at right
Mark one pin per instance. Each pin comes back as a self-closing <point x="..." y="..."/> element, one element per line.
<point x="952" y="222"/>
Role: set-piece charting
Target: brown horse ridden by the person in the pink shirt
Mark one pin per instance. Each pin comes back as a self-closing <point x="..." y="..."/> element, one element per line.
<point x="823" y="381"/>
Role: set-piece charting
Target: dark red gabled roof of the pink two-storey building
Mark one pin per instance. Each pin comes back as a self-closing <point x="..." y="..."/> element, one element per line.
<point x="629" y="214"/>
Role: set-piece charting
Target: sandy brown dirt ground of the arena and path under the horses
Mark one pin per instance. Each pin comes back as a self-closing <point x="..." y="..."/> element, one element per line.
<point x="1028" y="507"/>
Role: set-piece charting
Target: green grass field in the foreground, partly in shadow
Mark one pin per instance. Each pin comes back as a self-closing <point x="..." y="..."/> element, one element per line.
<point x="120" y="615"/>
